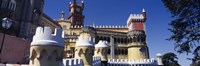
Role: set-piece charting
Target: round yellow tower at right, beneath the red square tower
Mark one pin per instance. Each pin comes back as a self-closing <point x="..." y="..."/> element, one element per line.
<point x="137" y="48"/>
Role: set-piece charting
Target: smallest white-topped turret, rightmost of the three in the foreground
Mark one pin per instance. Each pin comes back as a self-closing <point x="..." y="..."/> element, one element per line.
<point x="101" y="51"/>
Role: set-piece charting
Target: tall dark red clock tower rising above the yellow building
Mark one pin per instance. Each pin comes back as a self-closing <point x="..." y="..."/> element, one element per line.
<point x="76" y="16"/>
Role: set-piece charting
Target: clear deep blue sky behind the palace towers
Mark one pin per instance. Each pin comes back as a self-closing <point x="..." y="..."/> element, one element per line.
<point x="116" y="12"/>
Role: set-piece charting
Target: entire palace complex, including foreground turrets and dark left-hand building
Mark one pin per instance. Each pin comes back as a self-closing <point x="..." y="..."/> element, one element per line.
<point x="72" y="43"/>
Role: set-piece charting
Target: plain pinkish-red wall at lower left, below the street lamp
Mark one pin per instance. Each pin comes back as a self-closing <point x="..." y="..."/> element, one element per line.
<point x="15" y="50"/>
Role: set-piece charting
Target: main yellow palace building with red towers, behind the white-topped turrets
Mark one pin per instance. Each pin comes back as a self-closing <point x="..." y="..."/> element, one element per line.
<point x="125" y="42"/>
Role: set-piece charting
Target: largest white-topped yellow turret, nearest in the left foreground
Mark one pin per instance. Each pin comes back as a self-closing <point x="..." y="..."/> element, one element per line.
<point x="46" y="48"/>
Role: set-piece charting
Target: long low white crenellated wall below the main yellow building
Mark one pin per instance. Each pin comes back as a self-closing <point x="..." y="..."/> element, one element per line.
<point x="132" y="62"/>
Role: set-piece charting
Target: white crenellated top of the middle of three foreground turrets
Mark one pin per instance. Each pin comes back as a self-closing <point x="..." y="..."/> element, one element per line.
<point x="84" y="40"/>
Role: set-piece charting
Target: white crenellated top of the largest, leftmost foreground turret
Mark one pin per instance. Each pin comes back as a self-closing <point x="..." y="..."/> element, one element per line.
<point x="43" y="36"/>
